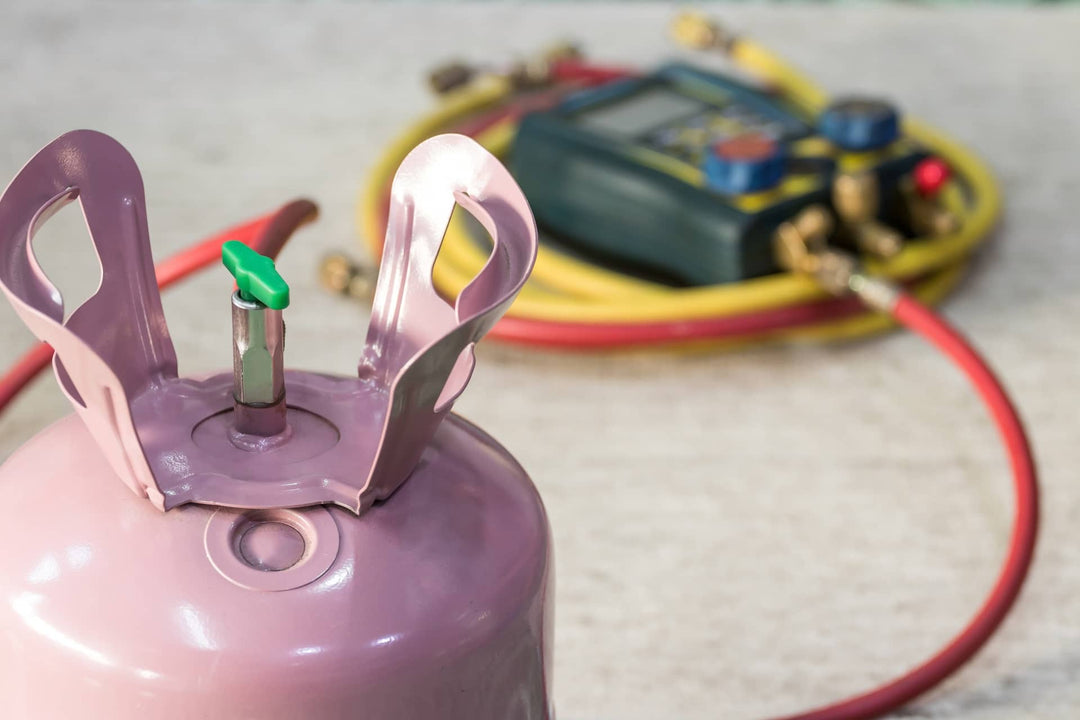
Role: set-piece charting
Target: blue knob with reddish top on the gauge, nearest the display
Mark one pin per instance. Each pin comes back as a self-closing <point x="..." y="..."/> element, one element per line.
<point x="746" y="164"/>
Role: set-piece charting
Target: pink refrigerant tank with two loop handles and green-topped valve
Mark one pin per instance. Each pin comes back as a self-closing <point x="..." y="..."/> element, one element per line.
<point x="265" y="544"/>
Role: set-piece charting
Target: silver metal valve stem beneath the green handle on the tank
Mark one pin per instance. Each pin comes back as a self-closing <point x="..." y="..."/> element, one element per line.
<point x="259" y="368"/>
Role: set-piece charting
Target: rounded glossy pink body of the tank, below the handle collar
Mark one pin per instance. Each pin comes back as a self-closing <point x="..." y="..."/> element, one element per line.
<point x="434" y="608"/>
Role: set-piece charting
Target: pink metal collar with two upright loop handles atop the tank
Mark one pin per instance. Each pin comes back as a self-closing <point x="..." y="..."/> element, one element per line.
<point x="116" y="361"/>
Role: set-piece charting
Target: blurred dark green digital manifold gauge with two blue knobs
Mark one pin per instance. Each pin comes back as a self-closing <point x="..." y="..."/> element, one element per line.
<point x="685" y="175"/>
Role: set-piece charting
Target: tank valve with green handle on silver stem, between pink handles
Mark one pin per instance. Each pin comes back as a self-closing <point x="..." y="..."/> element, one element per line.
<point x="259" y="342"/>
